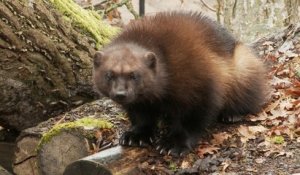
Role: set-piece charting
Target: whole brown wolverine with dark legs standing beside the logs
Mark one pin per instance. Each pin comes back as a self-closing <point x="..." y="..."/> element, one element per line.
<point x="180" y="67"/>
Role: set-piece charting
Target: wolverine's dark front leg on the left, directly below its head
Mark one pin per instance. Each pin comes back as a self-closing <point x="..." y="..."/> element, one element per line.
<point x="142" y="129"/>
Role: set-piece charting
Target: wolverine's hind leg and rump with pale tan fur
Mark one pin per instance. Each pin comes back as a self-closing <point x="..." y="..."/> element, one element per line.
<point x="247" y="92"/>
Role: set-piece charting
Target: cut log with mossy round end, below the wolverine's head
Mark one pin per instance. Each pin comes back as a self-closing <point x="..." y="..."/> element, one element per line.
<point x="53" y="144"/>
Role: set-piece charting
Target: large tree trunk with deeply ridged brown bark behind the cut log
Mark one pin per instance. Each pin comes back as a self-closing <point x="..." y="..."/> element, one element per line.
<point x="45" y="63"/>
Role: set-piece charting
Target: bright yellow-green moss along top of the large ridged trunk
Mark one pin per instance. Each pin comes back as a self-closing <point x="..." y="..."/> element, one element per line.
<point x="88" y="20"/>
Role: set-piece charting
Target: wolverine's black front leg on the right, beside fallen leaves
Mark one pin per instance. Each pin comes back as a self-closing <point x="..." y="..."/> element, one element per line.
<point x="184" y="130"/>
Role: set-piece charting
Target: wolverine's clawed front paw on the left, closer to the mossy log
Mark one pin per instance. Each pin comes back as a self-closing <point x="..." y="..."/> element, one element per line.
<point x="132" y="138"/>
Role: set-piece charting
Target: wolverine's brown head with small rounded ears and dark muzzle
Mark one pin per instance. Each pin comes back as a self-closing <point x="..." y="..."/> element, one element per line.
<point x="125" y="73"/>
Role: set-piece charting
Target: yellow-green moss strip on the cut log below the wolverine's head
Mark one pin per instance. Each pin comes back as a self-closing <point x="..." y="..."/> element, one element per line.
<point x="87" y="122"/>
